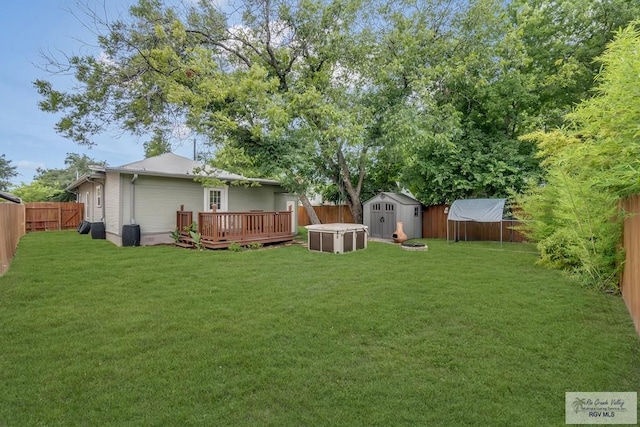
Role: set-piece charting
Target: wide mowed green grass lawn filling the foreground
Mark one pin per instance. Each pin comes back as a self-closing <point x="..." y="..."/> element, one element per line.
<point x="462" y="334"/>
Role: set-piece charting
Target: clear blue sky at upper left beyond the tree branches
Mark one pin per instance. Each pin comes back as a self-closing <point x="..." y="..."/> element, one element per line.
<point x="27" y="135"/>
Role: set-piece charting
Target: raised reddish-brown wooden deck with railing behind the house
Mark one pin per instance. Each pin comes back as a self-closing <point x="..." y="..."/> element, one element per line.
<point x="218" y="230"/>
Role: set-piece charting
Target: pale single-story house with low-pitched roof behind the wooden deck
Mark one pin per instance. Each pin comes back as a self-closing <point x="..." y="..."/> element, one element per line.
<point x="148" y="193"/>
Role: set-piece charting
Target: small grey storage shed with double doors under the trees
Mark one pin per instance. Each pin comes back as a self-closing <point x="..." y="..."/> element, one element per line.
<point x="382" y="213"/>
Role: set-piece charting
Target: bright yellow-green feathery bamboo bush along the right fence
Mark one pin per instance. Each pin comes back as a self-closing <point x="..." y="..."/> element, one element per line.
<point x="574" y="214"/>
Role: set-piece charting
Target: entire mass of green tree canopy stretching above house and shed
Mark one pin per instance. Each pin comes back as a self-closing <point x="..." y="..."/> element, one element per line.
<point x="348" y="97"/>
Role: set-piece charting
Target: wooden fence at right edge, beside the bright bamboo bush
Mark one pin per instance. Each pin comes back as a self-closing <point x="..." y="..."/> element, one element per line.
<point x="630" y="283"/>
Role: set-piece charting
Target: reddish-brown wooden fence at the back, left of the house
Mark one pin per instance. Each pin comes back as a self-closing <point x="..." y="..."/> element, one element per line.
<point x="45" y="216"/>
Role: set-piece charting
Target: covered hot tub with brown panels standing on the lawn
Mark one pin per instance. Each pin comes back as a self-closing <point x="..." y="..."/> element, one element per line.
<point x="337" y="238"/>
